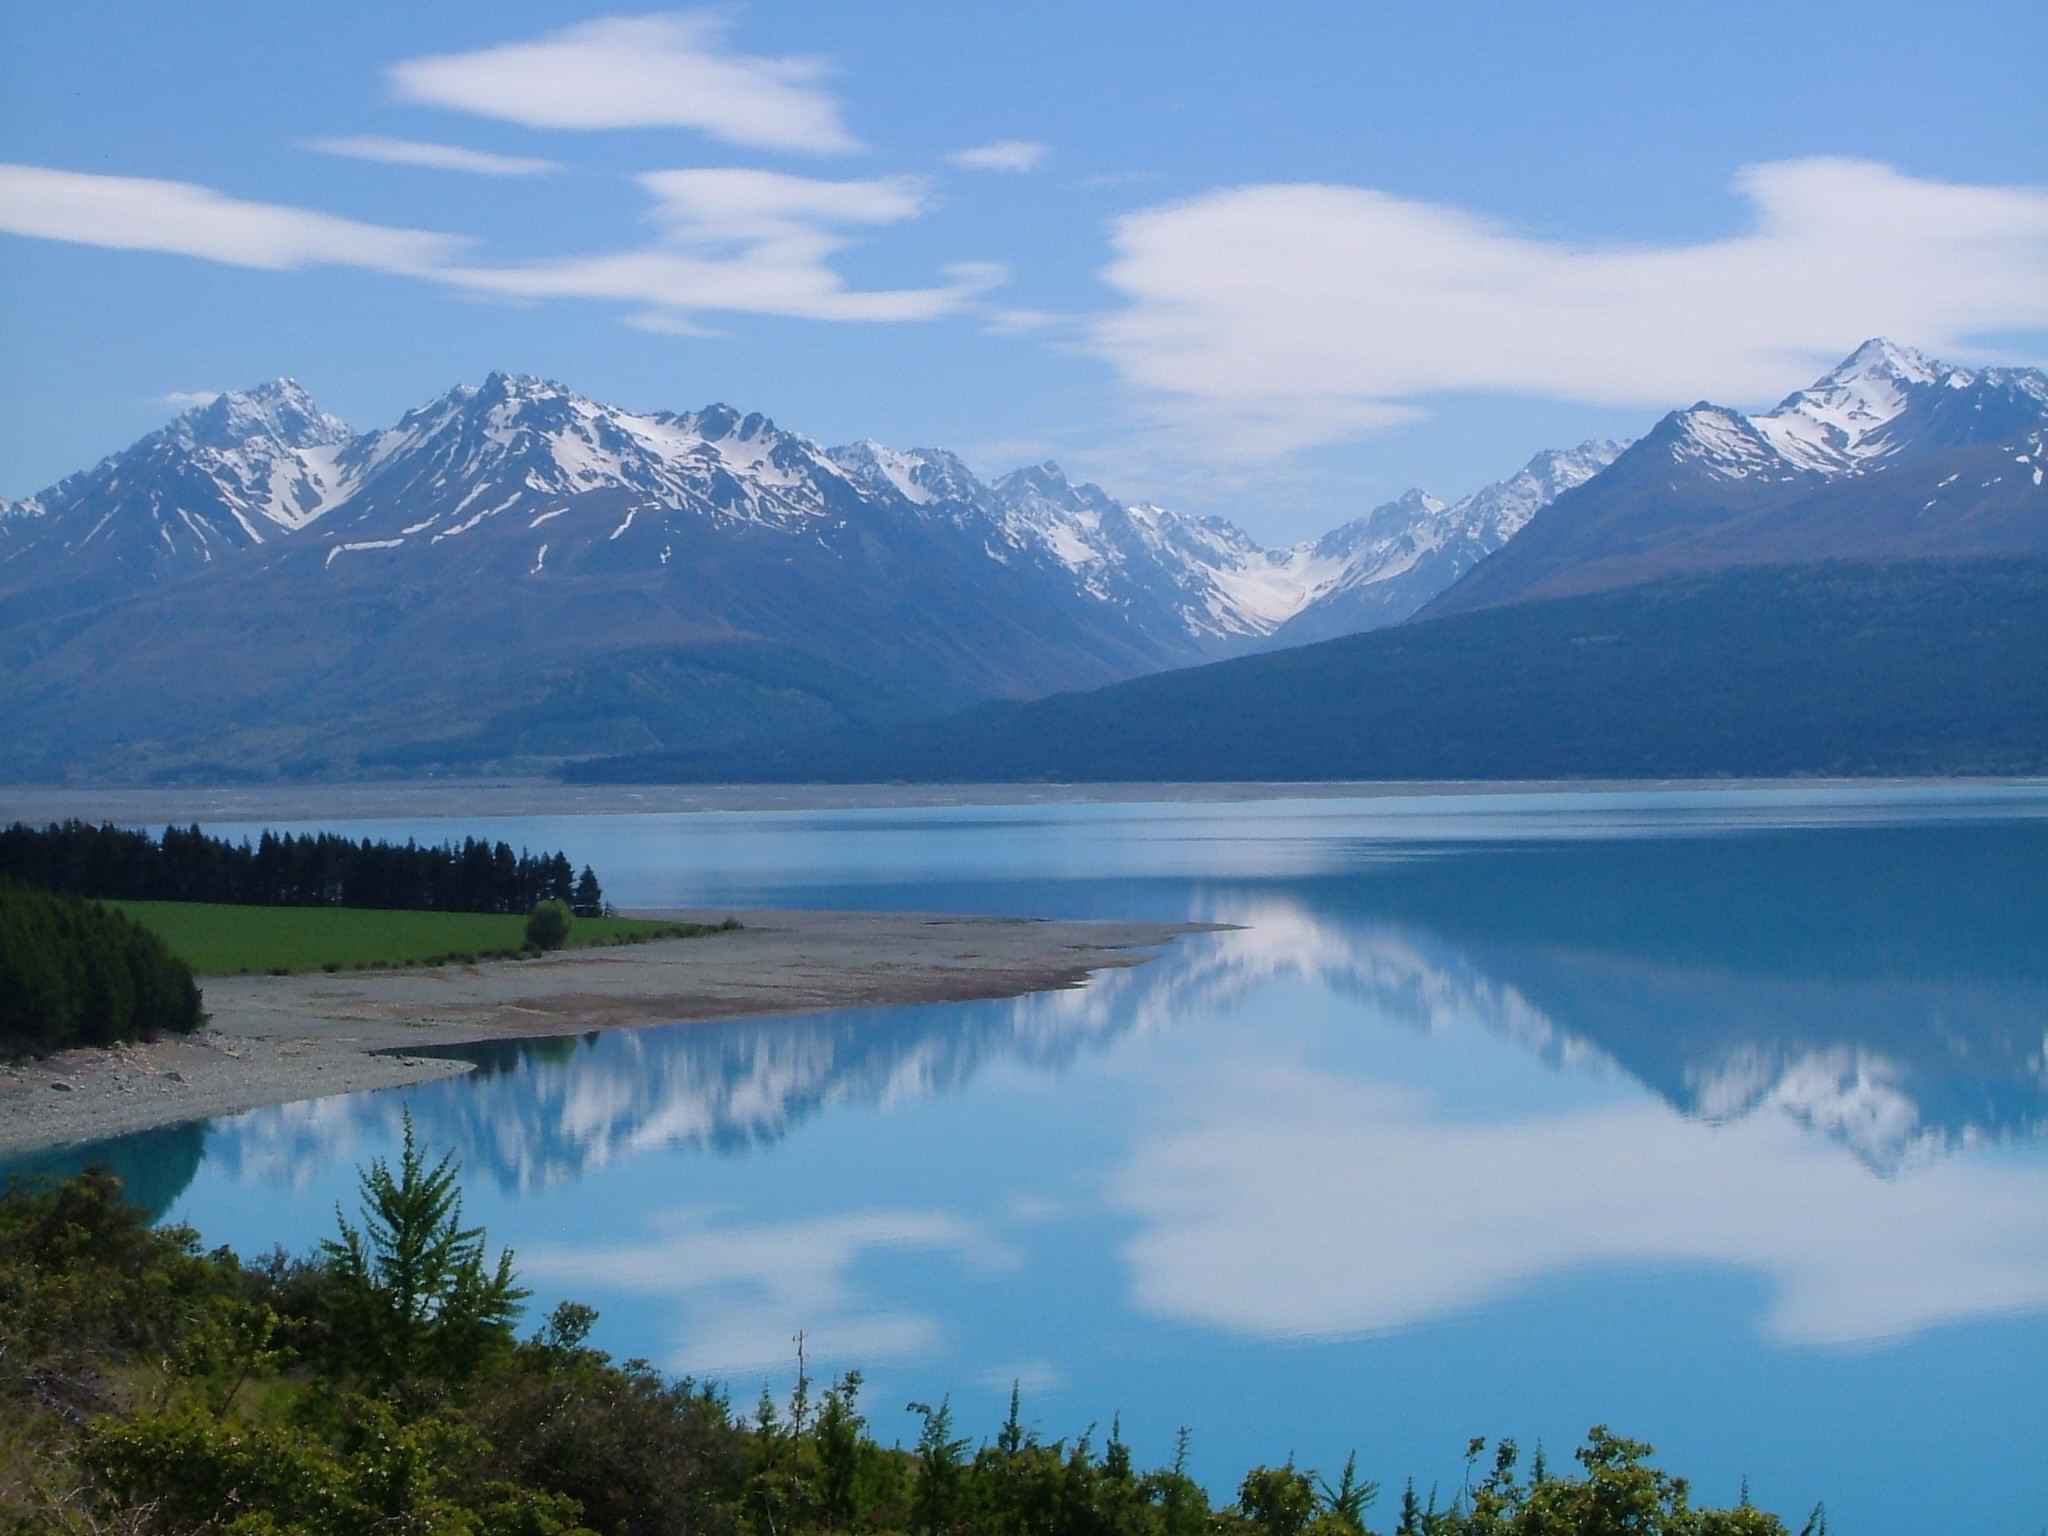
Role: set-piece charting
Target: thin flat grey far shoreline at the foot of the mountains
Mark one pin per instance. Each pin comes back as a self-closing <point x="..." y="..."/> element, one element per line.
<point x="497" y="798"/>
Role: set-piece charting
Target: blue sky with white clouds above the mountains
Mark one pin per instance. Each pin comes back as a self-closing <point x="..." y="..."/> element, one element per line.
<point x="1267" y="261"/>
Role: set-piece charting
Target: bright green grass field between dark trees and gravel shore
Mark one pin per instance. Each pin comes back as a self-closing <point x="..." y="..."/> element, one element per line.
<point x="226" y="941"/>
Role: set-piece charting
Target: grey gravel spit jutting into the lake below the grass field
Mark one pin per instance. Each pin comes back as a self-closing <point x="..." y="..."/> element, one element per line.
<point x="290" y="1039"/>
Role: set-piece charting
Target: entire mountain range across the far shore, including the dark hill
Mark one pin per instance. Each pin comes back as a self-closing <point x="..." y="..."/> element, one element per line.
<point x="519" y="577"/>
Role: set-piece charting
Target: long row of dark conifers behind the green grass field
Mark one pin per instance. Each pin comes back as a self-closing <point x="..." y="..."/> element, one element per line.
<point x="292" y="869"/>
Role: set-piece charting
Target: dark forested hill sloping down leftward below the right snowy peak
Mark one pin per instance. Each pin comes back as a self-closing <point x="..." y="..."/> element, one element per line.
<point x="1906" y="669"/>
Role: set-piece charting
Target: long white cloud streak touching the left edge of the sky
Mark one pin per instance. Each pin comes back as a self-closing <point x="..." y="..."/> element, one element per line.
<point x="179" y="218"/>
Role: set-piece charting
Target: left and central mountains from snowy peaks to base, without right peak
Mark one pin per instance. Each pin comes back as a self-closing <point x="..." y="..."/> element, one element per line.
<point x="517" y="572"/>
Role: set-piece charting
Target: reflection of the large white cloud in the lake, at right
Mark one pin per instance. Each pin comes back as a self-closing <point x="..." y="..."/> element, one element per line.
<point x="1232" y="1234"/>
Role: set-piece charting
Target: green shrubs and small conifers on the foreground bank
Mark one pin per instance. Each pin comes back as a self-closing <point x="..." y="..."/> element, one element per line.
<point x="380" y="1385"/>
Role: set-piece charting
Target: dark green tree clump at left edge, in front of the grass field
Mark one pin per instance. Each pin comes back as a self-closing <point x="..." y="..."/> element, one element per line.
<point x="79" y="974"/>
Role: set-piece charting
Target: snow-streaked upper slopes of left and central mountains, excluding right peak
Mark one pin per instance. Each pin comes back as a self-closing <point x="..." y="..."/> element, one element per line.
<point x="542" y="466"/>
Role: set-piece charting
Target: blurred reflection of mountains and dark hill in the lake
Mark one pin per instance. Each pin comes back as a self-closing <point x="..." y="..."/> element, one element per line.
<point x="1822" y="996"/>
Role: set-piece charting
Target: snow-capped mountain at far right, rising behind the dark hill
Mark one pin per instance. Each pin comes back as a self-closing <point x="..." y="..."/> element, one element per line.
<point x="1889" y="456"/>
